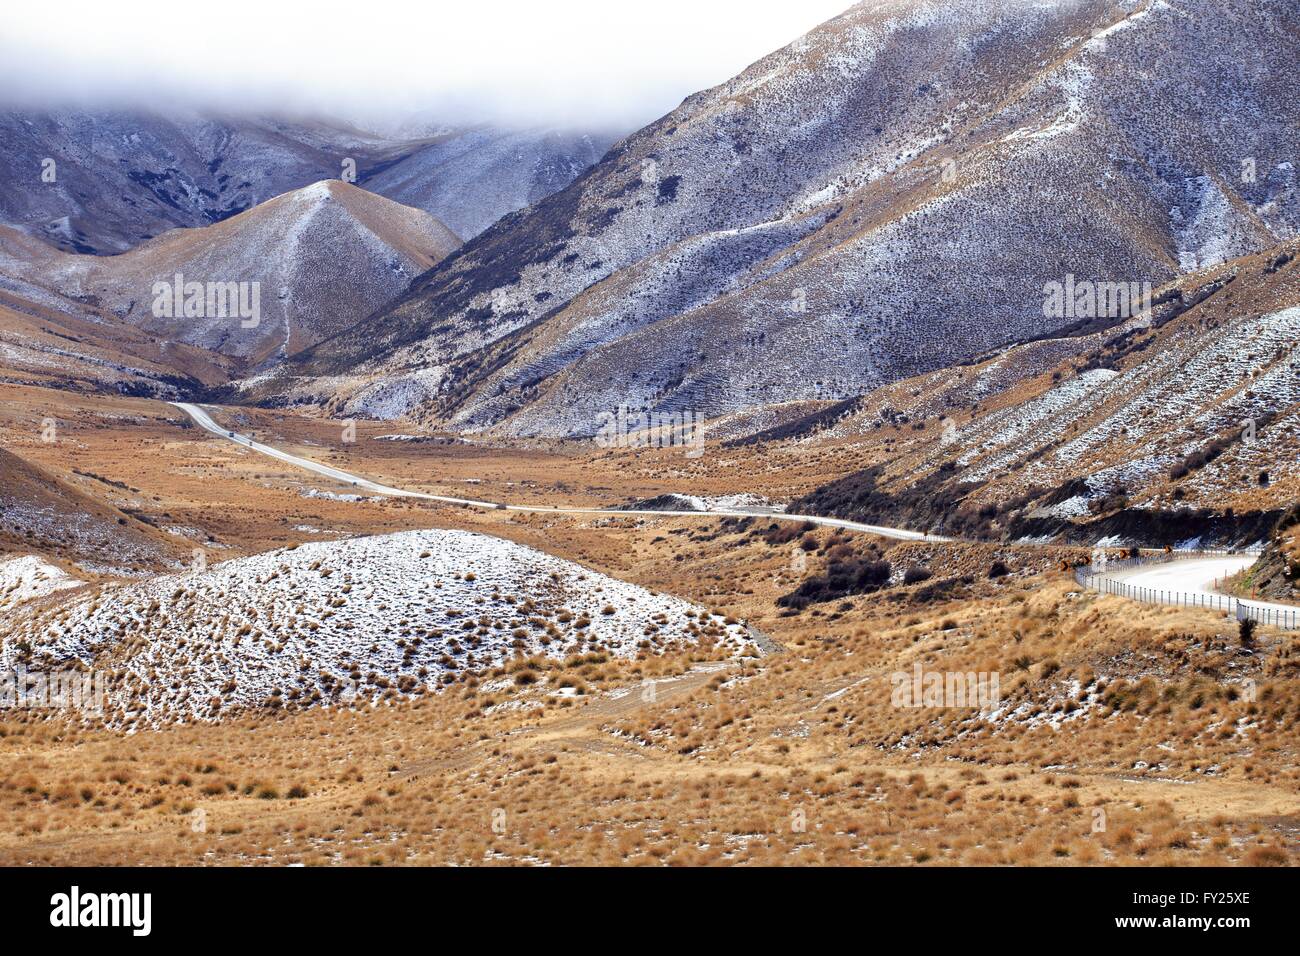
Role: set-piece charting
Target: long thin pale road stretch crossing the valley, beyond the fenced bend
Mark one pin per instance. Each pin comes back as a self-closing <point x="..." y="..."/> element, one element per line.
<point x="205" y="421"/>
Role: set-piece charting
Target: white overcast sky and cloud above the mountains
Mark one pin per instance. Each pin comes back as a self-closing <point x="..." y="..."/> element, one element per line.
<point x="617" y="63"/>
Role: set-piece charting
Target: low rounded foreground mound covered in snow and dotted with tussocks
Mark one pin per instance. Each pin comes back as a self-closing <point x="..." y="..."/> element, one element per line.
<point x="332" y="622"/>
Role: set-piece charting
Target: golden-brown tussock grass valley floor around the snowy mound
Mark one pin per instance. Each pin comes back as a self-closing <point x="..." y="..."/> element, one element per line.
<point x="1124" y="734"/>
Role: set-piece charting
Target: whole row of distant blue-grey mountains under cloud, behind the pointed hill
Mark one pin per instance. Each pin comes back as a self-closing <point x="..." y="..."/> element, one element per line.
<point x="106" y="181"/>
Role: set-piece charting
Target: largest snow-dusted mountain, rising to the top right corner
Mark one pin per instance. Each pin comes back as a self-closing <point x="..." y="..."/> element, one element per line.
<point x="889" y="194"/>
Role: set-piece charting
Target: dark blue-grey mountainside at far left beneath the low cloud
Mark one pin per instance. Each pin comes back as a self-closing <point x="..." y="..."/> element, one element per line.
<point x="106" y="181"/>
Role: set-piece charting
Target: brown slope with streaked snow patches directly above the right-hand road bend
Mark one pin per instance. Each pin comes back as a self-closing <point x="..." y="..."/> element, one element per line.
<point x="1185" y="429"/>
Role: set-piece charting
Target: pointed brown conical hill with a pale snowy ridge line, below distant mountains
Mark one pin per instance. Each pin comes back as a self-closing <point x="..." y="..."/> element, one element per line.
<point x="323" y="258"/>
